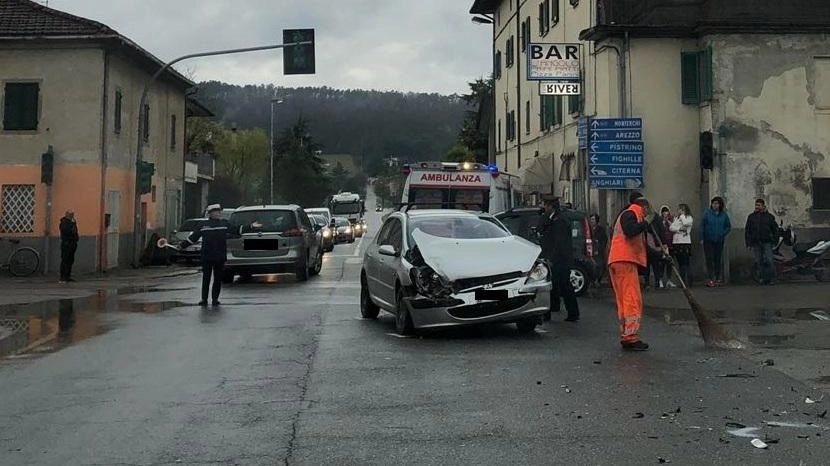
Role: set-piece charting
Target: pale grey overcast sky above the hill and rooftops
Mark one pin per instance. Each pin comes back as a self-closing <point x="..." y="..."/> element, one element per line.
<point x="408" y="45"/>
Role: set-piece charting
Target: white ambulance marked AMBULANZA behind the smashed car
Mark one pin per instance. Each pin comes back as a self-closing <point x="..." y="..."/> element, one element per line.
<point x="466" y="186"/>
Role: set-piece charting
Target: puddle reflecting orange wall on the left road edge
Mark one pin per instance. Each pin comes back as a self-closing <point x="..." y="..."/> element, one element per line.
<point x="48" y="326"/>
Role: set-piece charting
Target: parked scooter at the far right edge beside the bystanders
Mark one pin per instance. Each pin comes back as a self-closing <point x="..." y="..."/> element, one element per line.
<point x="792" y="258"/>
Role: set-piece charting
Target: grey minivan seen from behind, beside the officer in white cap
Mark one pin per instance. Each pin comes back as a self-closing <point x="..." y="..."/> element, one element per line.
<point x="273" y="239"/>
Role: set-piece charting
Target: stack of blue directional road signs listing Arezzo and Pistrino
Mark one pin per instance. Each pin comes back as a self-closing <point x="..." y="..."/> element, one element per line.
<point x="615" y="153"/>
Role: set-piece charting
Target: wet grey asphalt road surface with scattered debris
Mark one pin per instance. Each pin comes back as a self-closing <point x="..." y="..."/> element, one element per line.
<point x="287" y="373"/>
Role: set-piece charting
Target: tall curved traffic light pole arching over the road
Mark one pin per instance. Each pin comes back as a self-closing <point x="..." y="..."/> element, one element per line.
<point x="137" y="228"/>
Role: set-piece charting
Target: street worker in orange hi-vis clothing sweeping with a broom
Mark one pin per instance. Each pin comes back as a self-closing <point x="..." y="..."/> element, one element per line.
<point x="629" y="253"/>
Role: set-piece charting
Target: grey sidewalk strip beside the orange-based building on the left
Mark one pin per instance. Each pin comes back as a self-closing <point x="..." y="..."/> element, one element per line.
<point x="15" y="290"/>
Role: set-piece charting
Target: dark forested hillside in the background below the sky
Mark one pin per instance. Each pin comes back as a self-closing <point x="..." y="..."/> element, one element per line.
<point x="371" y="125"/>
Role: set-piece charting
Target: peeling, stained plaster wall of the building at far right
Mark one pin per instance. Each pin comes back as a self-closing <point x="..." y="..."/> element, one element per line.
<point x="775" y="138"/>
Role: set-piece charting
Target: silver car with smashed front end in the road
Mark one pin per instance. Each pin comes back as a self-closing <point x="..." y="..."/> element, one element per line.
<point x="444" y="268"/>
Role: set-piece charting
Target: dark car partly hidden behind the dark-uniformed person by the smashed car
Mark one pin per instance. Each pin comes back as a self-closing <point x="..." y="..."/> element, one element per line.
<point x="523" y="221"/>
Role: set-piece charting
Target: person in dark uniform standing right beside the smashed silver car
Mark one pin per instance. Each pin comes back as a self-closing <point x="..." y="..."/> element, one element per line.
<point x="557" y="248"/>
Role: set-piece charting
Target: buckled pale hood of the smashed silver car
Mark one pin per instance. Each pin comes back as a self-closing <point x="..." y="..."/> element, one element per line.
<point x="457" y="259"/>
